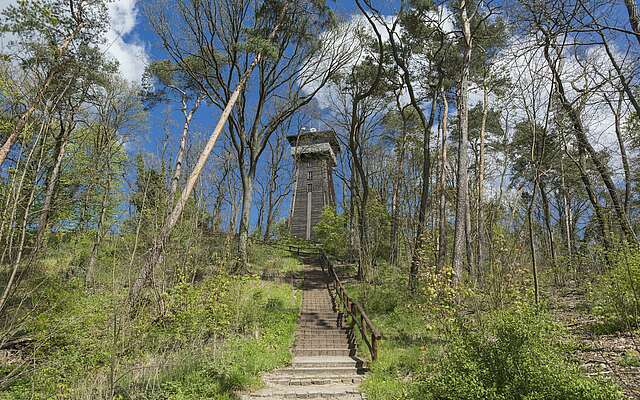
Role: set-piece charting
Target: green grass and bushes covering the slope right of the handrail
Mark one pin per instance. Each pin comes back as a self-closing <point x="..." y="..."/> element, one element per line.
<point x="430" y="351"/>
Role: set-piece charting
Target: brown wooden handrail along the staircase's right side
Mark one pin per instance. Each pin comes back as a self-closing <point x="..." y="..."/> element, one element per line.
<point x="354" y="310"/>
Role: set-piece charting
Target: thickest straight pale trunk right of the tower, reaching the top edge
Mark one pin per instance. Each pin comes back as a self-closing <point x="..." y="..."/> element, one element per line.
<point x="462" y="174"/>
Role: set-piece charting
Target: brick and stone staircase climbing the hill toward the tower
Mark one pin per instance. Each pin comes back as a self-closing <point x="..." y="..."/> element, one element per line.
<point x="324" y="364"/>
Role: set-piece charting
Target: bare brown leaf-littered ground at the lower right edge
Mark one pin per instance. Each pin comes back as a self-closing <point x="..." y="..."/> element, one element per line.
<point x="614" y="355"/>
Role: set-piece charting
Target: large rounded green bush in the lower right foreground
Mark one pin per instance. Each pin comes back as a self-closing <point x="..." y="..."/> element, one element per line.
<point x="513" y="354"/>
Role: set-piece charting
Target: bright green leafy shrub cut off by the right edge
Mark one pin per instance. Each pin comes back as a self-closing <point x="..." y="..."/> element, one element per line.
<point x="616" y="294"/>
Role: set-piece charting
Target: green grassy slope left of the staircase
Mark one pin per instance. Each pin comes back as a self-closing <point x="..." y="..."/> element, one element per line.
<point x="217" y="334"/>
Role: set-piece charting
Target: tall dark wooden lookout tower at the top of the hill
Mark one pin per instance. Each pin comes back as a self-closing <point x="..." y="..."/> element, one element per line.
<point x="314" y="153"/>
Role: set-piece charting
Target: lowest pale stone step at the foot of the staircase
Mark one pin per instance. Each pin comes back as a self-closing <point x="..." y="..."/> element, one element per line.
<point x="280" y="392"/>
